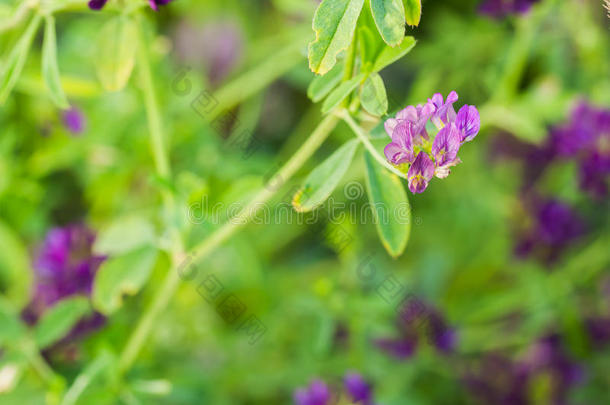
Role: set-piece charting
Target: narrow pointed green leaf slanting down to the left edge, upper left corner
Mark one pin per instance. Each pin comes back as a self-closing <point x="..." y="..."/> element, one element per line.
<point x="16" y="59"/>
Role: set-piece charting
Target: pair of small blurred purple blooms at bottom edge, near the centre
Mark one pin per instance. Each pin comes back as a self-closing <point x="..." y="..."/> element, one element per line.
<point x="318" y="393"/>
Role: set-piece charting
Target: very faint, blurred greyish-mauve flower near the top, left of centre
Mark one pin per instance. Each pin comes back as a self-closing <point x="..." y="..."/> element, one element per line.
<point x="216" y="46"/>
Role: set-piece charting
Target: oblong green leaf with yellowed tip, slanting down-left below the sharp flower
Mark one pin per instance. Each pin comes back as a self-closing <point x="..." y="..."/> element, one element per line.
<point x="323" y="179"/>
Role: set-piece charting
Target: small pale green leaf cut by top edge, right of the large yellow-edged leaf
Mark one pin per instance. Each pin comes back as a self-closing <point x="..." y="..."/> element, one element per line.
<point x="389" y="17"/>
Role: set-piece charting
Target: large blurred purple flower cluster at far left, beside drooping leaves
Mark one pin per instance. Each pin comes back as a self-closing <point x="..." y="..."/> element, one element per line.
<point x="65" y="266"/>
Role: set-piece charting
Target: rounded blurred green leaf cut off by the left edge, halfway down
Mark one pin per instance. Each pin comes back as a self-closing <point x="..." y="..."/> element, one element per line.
<point x="15" y="269"/>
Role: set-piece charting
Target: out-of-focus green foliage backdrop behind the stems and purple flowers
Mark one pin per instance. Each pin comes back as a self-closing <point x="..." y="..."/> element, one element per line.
<point x="525" y="73"/>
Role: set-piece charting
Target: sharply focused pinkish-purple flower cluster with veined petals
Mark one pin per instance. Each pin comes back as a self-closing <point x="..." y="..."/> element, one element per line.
<point x="412" y="147"/>
